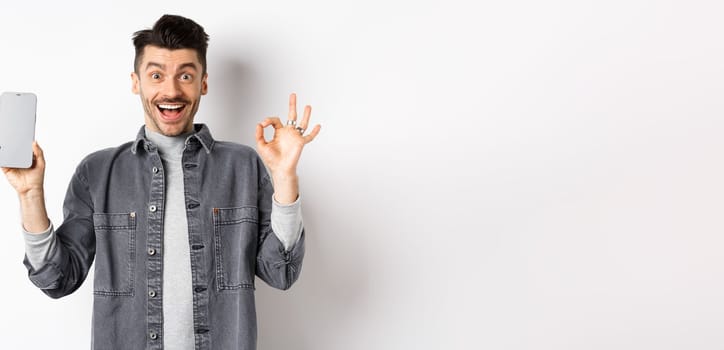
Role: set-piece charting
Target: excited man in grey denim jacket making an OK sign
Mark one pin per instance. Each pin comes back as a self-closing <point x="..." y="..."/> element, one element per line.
<point x="179" y="223"/>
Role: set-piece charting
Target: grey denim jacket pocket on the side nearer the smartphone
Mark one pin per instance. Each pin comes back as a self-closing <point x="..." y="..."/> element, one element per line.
<point x="115" y="254"/>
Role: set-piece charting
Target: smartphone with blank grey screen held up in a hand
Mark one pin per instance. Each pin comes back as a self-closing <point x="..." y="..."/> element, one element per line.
<point x="17" y="129"/>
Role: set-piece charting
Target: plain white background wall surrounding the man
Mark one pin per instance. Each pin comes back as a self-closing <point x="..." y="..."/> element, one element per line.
<point x="489" y="175"/>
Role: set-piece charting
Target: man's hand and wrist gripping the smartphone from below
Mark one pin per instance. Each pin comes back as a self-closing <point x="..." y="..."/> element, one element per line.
<point x="29" y="185"/>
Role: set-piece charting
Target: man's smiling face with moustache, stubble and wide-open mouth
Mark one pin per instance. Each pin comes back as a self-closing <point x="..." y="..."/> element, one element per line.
<point x="170" y="83"/>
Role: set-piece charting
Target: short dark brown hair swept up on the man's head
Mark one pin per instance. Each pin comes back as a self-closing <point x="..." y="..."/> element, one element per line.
<point x="172" y="32"/>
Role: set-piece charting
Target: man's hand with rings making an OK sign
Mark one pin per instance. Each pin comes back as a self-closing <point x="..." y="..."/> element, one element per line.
<point x="281" y="154"/>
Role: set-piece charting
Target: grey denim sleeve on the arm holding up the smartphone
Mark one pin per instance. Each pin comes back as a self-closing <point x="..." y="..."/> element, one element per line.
<point x="68" y="264"/>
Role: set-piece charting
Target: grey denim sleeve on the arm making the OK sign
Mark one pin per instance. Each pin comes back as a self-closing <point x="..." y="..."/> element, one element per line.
<point x="275" y="265"/>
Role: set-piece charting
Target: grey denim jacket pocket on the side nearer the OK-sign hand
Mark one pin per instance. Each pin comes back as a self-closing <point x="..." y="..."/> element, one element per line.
<point x="235" y="243"/>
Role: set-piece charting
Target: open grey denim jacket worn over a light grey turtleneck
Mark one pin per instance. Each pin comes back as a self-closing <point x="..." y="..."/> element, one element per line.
<point x="113" y="211"/>
